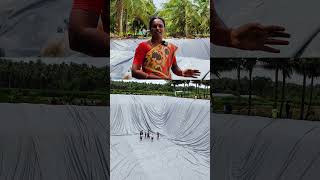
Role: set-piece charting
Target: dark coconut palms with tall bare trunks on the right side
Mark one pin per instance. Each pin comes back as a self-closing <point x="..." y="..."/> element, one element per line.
<point x="308" y="68"/>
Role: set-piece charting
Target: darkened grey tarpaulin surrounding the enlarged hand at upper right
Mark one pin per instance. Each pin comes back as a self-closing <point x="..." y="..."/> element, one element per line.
<point x="300" y="18"/>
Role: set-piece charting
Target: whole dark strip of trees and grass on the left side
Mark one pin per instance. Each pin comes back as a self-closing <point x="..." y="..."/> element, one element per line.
<point x="37" y="82"/>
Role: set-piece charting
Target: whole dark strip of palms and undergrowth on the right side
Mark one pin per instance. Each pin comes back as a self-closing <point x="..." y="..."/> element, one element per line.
<point x="268" y="93"/>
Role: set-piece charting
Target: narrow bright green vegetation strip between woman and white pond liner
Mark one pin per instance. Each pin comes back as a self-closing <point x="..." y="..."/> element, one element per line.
<point x="168" y="89"/>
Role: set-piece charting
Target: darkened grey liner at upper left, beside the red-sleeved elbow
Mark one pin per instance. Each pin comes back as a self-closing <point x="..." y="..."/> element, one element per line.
<point x="28" y="26"/>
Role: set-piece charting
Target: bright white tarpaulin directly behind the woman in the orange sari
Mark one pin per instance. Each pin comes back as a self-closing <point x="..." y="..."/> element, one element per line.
<point x="191" y="53"/>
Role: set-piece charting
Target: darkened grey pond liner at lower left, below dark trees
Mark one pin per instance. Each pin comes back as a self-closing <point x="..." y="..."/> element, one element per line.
<point x="46" y="142"/>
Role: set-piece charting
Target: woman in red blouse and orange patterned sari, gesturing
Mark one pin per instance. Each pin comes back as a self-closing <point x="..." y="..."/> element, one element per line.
<point x="154" y="58"/>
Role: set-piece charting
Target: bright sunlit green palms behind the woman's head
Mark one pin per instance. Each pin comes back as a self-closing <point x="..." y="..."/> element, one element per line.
<point x="184" y="18"/>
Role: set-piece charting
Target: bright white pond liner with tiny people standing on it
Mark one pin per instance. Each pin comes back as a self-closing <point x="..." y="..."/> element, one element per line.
<point x="181" y="152"/>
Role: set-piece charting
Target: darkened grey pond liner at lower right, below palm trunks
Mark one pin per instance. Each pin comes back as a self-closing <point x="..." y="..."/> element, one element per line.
<point x="250" y="148"/>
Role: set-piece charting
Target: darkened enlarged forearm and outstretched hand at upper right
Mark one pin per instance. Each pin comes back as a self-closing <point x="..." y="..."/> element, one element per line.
<point x="251" y="36"/>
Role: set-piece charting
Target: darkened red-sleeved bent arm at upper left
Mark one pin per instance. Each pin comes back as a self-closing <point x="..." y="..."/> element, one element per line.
<point x="84" y="35"/>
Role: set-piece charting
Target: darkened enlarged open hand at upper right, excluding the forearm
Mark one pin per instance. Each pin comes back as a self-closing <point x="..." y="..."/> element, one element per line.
<point x="254" y="36"/>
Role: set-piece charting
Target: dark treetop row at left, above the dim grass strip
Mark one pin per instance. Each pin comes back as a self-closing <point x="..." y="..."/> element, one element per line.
<point x="38" y="75"/>
